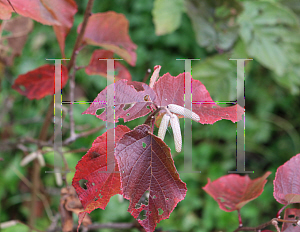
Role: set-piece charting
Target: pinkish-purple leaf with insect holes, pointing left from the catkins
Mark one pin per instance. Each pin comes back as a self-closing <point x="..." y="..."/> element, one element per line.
<point x="126" y="93"/>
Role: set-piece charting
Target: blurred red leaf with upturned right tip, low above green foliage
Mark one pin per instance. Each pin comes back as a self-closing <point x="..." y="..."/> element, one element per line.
<point x="233" y="191"/>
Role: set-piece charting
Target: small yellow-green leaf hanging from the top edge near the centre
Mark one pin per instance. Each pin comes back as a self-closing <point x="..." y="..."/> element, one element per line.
<point x="167" y="15"/>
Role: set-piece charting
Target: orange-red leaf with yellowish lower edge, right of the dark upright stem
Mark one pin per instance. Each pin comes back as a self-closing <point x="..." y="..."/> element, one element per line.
<point x="110" y="31"/>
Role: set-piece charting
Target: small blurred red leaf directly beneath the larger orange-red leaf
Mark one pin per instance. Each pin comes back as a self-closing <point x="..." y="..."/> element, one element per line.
<point x="99" y="67"/>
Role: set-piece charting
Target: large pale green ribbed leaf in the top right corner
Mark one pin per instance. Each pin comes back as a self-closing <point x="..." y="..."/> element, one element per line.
<point x="269" y="31"/>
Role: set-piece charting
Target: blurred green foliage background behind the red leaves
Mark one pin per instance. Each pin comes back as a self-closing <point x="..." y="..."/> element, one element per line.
<point x="164" y="30"/>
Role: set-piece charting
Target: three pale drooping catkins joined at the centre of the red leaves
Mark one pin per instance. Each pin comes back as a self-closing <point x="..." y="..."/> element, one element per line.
<point x="175" y="123"/>
